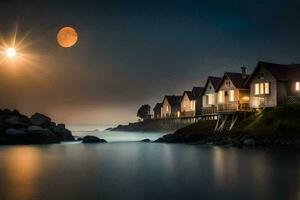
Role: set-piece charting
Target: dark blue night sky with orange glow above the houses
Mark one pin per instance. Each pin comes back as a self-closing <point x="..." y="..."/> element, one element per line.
<point x="134" y="52"/>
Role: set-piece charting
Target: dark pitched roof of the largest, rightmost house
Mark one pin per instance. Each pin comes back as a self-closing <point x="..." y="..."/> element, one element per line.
<point x="281" y="72"/>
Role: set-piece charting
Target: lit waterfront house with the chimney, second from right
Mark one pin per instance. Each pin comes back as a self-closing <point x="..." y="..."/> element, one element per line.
<point x="233" y="92"/>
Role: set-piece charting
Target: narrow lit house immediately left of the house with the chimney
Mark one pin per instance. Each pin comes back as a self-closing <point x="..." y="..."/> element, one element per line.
<point x="209" y="95"/>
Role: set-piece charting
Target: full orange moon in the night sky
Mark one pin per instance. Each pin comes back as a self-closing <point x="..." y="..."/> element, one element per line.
<point x="67" y="37"/>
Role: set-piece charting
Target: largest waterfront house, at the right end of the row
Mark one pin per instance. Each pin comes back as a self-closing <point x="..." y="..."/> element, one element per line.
<point x="272" y="84"/>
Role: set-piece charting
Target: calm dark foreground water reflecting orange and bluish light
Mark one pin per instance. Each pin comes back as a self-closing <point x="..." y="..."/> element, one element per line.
<point x="133" y="170"/>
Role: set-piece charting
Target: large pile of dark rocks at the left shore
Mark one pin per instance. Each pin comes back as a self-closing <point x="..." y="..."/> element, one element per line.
<point x="16" y="128"/>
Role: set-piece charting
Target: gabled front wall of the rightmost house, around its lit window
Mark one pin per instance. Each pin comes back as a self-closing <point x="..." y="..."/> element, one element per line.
<point x="265" y="100"/>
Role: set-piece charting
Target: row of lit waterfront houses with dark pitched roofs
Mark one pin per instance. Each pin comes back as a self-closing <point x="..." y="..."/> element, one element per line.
<point x="269" y="85"/>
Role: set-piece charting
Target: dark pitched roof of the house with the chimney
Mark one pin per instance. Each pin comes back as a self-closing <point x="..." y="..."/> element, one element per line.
<point x="237" y="80"/>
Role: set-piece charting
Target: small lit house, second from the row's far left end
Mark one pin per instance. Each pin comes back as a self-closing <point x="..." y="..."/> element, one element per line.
<point x="171" y="106"/>
